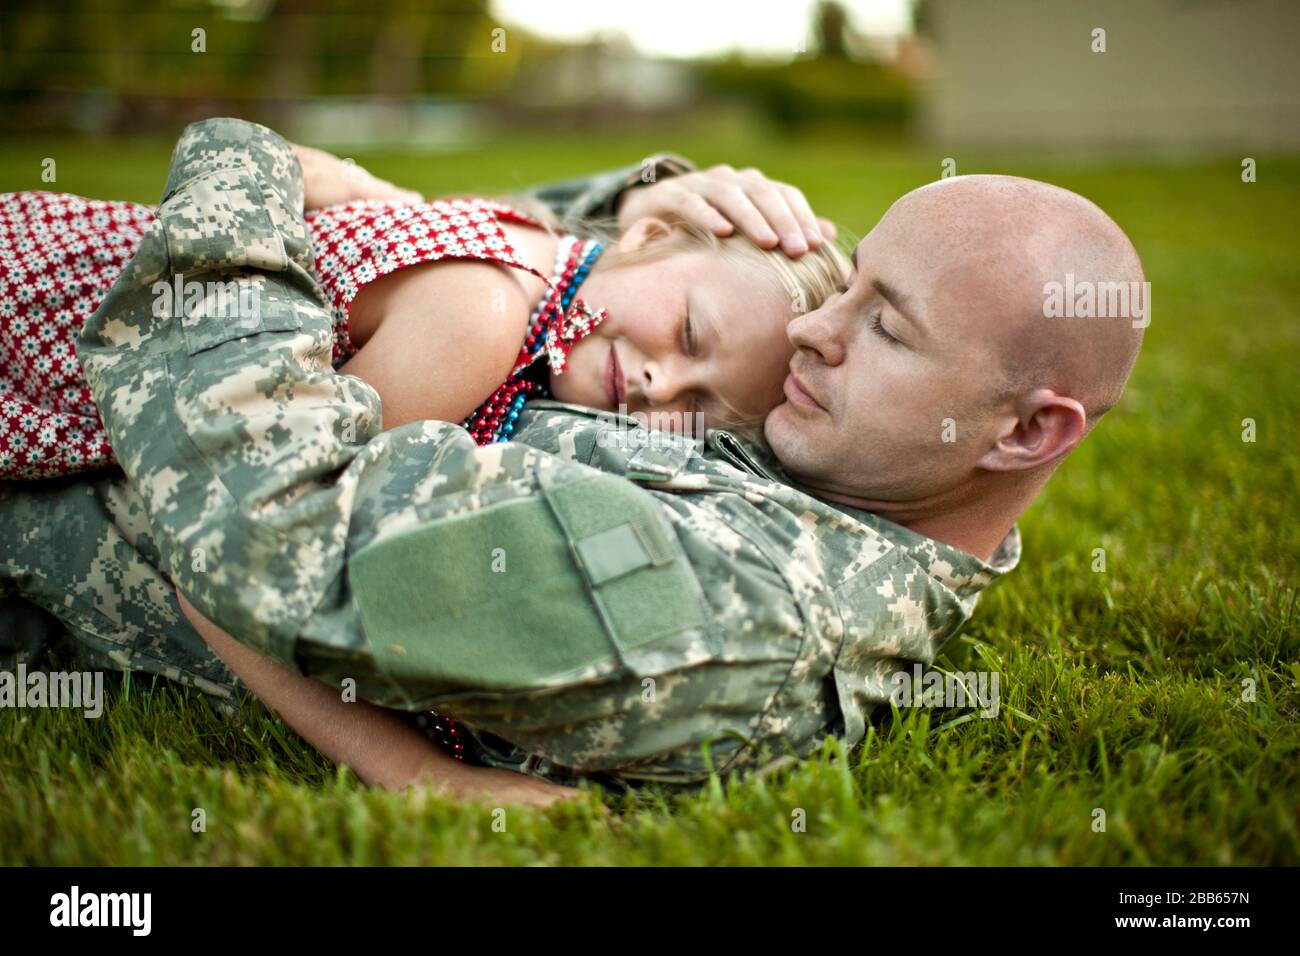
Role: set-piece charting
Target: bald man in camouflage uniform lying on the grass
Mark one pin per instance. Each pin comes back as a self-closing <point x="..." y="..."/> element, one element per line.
<point x="591" y="599"/>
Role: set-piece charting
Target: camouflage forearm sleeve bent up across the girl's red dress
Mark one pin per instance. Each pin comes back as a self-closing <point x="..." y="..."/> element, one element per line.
<point x="210" y="365"/>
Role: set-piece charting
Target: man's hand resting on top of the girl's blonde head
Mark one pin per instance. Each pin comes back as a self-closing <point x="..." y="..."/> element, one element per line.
<point x="722" y="198"/>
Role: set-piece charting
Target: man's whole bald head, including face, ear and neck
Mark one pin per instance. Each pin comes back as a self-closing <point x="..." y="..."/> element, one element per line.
<point x="941" y="374"/>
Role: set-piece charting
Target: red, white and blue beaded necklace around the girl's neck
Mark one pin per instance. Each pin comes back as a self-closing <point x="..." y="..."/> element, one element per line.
<point x="557" y="325"/>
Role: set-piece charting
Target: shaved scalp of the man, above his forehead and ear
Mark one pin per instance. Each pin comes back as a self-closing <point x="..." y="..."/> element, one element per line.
<point x="1002" y="241"/>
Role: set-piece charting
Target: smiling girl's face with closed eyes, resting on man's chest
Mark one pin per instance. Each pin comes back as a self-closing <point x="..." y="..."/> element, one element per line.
<point x="690" y="334"/>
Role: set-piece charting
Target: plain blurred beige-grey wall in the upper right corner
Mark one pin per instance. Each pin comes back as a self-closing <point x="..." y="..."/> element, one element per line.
<point x="1176" y="73"/>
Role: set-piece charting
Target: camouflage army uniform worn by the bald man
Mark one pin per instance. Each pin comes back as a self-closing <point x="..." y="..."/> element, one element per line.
<point x="590" y="599"/>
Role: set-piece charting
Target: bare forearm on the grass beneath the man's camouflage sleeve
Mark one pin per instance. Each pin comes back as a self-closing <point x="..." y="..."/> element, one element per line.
<point x="380" y="747"/>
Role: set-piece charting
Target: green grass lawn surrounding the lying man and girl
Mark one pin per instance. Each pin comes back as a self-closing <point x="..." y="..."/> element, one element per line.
<point x="1121" y="691"/>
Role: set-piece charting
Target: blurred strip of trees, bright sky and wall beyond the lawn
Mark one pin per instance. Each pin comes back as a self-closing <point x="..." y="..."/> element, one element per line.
<point x="465" y="76"/>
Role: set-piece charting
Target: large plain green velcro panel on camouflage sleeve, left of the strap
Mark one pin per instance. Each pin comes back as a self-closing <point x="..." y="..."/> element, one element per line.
<point x="484" y="600"/>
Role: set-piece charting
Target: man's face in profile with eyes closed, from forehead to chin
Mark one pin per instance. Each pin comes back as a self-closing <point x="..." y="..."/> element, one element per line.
<point x="889" y="393"/>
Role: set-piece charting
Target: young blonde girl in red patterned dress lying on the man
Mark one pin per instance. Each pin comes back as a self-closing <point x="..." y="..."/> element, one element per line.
<point x="673" y="322"/>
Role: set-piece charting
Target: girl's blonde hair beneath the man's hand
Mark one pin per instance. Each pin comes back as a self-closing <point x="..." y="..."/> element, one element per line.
<point x="807" y="282"/>
